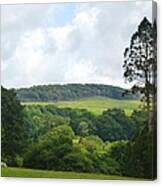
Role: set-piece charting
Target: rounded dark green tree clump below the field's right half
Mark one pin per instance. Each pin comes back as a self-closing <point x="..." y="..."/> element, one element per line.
<point x="114" y="125"/>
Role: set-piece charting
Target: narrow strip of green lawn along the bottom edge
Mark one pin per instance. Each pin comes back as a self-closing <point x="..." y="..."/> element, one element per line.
<point x="31" y="173"/>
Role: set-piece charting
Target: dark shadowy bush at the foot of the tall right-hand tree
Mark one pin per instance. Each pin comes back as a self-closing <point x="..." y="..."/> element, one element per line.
<point x="141" y="156"/>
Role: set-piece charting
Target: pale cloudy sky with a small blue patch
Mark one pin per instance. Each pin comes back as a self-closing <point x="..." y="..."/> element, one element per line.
<point x="67" y="43"/>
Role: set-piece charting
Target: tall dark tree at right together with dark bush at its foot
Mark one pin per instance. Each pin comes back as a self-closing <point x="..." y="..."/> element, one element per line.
<point x="140" y="68"/>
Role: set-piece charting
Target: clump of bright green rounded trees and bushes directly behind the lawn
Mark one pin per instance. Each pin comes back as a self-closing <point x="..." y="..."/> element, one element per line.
<point x="60" y="149"/>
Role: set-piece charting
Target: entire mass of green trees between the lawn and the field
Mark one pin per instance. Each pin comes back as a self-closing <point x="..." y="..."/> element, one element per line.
<point x="47" y="137"/>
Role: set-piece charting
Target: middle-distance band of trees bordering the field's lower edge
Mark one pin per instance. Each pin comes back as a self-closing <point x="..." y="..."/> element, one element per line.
<point x="111" y="125"/>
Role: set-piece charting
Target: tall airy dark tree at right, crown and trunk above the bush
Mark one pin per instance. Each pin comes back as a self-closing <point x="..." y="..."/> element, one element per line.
<point x="140" y="65"/>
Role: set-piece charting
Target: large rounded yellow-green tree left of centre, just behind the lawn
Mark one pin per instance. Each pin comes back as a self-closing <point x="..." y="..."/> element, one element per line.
<point x="50" y="149"/>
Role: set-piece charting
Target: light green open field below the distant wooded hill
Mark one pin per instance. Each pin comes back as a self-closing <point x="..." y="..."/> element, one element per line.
<point x="95" y="104"/>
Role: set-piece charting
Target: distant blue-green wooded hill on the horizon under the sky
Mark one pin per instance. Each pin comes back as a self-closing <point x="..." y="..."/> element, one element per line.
<point x="55" y="93"/>
